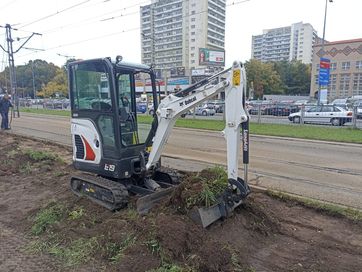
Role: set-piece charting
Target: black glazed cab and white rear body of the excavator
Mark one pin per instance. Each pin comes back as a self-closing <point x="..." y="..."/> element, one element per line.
<point x="107" y="137"/>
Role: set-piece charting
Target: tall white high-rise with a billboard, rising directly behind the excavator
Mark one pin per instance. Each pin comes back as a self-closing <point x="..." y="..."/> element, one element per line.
<point x="179" y="36"/>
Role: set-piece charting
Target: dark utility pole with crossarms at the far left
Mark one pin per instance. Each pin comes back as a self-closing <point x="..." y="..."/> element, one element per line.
<point x="10" y="51"/>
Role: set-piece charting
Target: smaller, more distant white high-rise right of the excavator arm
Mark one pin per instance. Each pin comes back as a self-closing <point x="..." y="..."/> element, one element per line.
<point x="288" y="43"/>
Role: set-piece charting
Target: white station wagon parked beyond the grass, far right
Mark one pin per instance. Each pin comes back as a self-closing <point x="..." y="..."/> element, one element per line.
<point x="325" y="114"/>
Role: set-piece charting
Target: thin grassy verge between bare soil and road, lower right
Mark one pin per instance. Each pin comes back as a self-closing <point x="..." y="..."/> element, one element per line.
<point x="328" y="208"/>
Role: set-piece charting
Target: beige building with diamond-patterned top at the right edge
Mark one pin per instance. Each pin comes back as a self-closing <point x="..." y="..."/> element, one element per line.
<point x="345" y="70"/>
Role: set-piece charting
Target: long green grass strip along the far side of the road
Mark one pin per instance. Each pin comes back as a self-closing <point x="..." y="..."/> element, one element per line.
<point x="311" y="132"/>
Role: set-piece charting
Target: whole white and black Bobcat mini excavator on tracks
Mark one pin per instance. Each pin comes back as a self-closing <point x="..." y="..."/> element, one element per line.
<point x="122" y="155"/>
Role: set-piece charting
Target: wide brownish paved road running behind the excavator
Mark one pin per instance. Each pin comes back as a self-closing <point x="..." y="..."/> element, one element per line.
<point x="321" y="170"/>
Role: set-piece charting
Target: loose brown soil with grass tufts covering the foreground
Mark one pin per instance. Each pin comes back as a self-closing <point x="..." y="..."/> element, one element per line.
<point x="264" y="235"/>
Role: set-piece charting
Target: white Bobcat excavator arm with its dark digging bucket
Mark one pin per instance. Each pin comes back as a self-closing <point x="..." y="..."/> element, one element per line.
<point x="171" y="108"/>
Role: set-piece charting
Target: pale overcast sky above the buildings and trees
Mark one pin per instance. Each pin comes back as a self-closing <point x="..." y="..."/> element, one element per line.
<point x="85" y="29"/>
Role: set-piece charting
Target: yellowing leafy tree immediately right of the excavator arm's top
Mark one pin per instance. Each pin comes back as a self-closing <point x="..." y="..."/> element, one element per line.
<point x="264" y="78"/>
